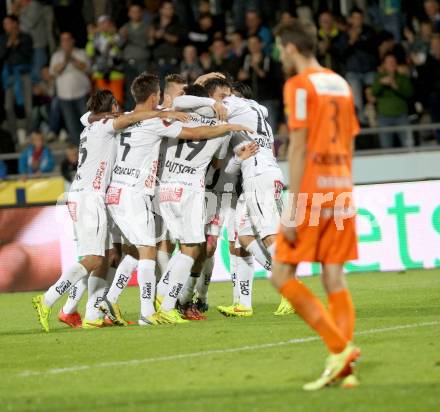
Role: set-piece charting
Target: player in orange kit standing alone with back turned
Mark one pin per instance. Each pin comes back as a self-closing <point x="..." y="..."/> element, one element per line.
<point x="319" y="224"/>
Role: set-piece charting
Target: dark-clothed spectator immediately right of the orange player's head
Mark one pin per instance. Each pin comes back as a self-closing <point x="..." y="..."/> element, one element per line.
<point x="329" y="39"/>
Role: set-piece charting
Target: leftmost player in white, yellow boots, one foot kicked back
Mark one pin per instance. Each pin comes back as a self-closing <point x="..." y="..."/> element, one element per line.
<point x="88" y="211"/>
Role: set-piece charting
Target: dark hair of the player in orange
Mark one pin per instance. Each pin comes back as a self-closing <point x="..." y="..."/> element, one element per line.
<point x="300" y="35"/>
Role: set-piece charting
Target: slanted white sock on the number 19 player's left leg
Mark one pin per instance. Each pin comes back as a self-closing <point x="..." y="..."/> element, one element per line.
<point x="178" y="276"/>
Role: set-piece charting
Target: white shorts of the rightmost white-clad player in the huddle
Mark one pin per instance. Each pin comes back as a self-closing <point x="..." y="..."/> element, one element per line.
<point x="261" y="207"/>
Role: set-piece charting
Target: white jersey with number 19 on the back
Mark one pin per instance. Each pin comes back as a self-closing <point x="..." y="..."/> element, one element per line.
<point x="187" y="160"/>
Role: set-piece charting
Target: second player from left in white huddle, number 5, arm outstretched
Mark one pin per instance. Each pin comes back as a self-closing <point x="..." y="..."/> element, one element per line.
<point x="130" y="194"/>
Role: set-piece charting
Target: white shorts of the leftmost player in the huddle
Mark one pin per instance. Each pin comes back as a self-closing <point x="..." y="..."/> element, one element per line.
<point x="89" y="215"/>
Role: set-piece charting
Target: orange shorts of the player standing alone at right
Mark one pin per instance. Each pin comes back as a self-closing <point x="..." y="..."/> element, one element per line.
<point x="320" y="243"/>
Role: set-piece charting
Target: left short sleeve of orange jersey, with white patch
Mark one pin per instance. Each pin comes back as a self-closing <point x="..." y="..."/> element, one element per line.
<point x="297" y="95"/>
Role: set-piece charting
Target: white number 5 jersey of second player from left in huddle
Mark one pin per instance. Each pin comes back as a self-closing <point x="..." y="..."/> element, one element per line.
<point x="137" y="159"/>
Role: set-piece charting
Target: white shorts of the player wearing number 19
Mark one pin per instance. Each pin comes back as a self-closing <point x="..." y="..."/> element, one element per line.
<point x="183" y="211"/>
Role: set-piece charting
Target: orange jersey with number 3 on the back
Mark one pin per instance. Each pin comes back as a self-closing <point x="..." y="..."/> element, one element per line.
<point x="321" y="101"/>
